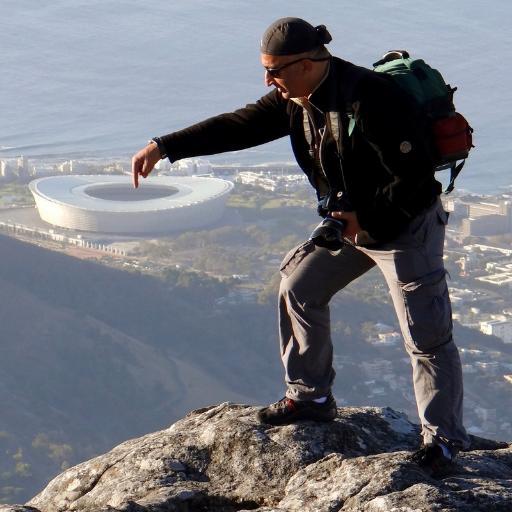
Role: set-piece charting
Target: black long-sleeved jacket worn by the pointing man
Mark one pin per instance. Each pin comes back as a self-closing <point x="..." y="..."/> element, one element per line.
<point x="385" y="166"/>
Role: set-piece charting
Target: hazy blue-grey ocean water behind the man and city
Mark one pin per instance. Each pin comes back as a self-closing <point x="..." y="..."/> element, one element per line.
<point x="100" y="77"/>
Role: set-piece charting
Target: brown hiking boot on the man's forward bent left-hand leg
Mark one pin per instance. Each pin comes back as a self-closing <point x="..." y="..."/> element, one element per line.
<point x="288" y="411"/>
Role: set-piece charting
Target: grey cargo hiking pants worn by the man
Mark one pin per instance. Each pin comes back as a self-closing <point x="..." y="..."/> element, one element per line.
<point x="412" y="265"/>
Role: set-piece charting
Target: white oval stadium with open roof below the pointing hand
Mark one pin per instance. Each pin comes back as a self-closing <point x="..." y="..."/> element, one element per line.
<point x="110" y="204"/>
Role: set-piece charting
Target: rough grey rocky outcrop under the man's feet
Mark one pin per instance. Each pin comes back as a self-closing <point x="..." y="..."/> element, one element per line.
<point x="222" y="459"/>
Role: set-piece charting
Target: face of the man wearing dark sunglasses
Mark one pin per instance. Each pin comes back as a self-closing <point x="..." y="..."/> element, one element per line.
<point x="288" y="74"/>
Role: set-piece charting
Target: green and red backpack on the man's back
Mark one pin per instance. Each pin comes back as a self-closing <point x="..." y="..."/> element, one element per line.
<point x="451" y="135"/>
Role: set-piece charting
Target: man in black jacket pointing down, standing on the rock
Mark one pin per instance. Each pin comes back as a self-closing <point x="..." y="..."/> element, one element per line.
<point x="360" y="144"/>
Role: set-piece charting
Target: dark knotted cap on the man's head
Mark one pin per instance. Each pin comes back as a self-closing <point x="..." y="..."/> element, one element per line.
<point x="289" y="36"/>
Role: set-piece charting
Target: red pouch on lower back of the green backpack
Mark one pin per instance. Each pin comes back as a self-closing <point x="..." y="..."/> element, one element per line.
<point x="452" y="138"/>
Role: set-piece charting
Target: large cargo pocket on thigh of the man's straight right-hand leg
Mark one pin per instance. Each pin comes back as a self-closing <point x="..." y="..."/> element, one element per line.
<point x="428" y="310"/>
